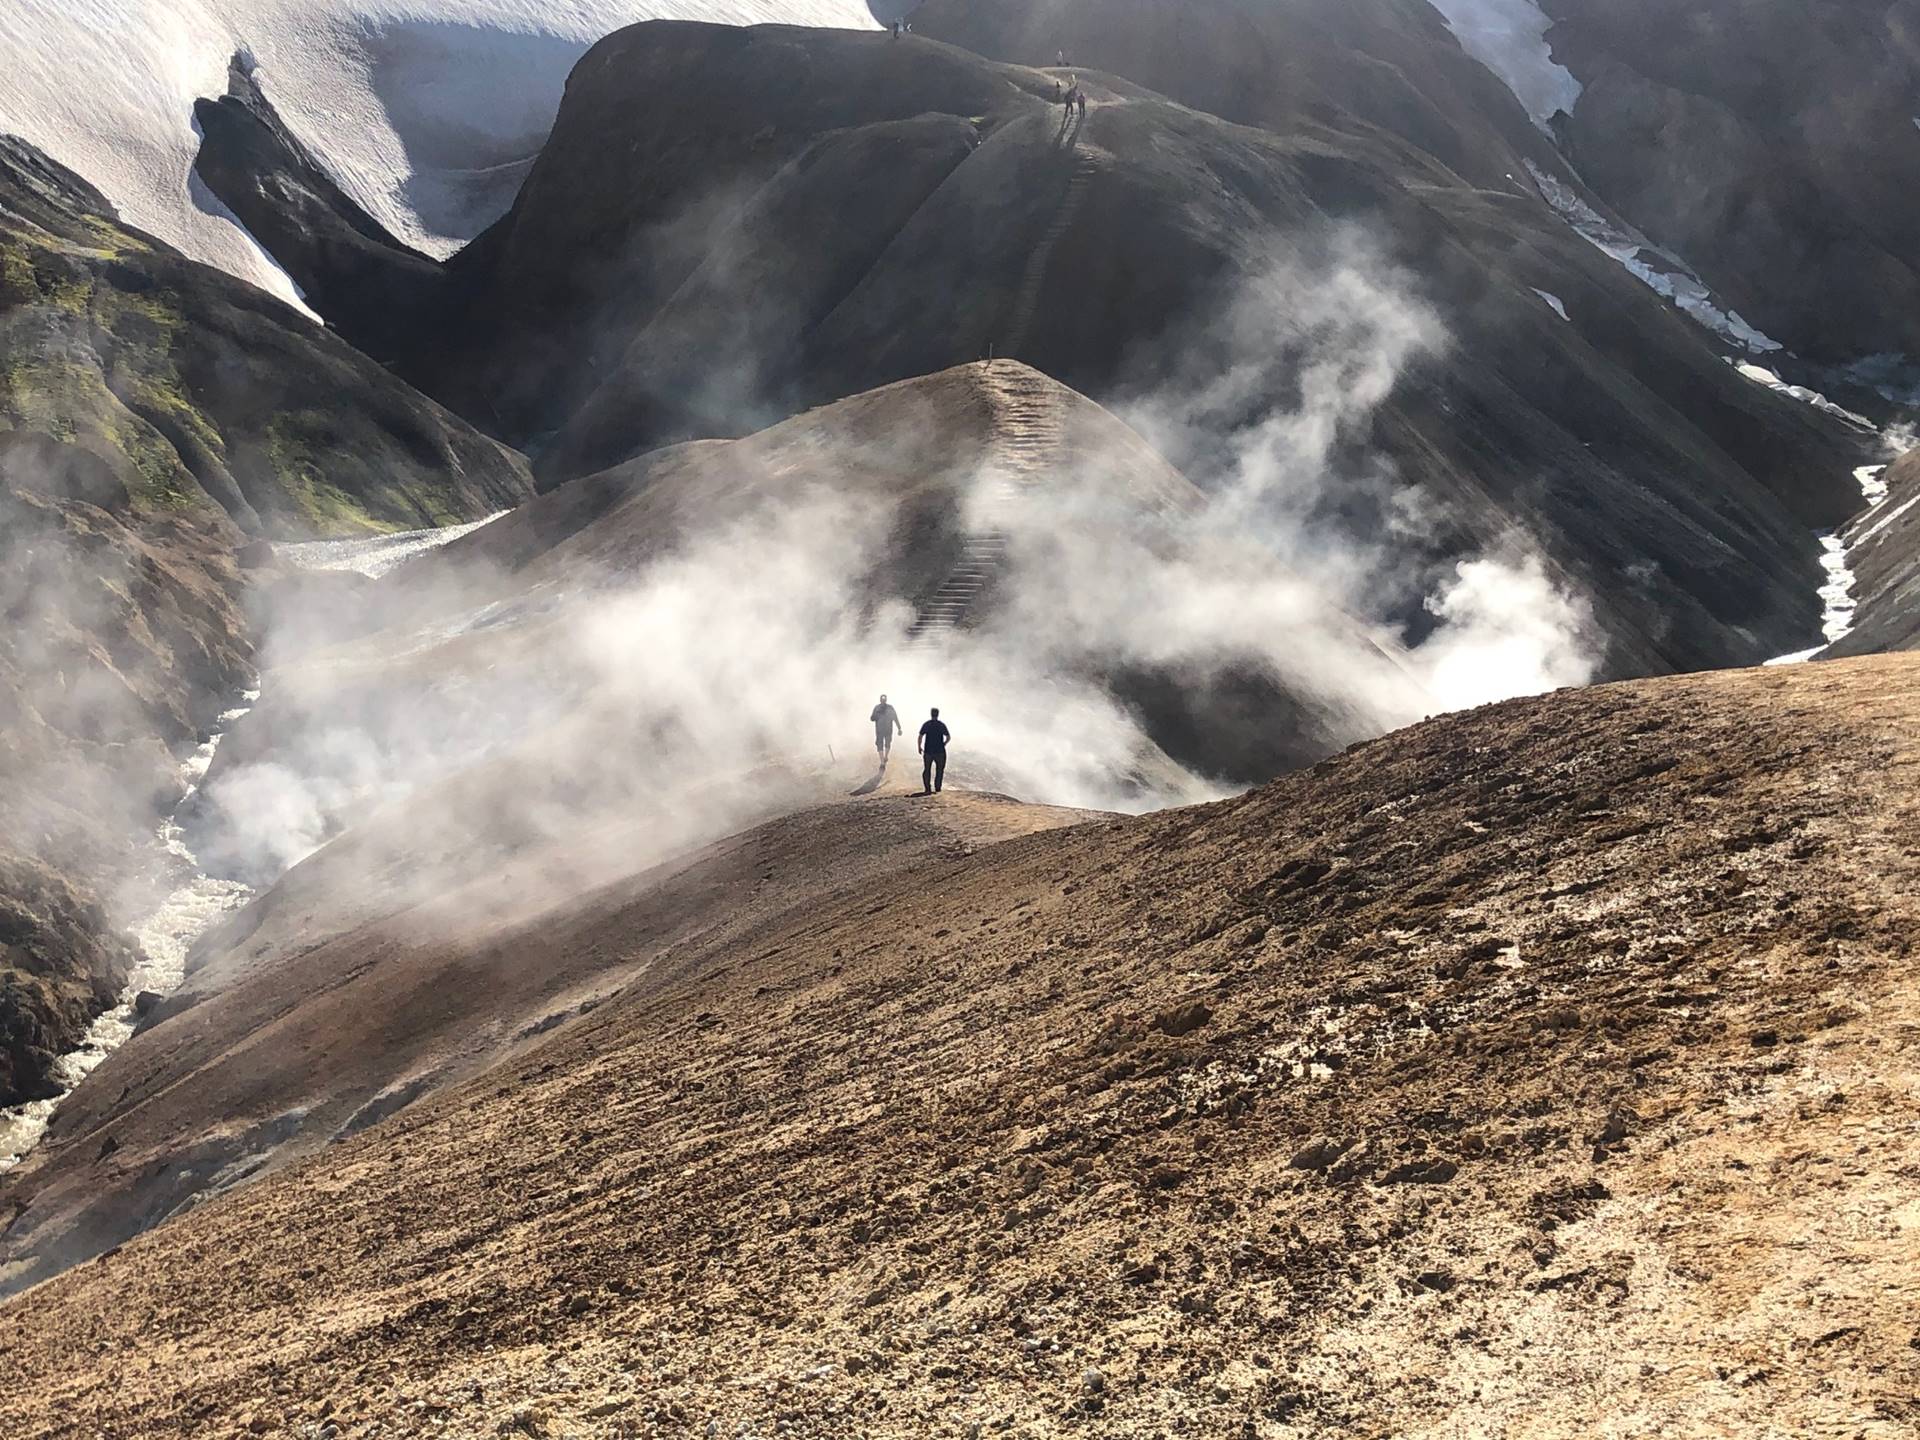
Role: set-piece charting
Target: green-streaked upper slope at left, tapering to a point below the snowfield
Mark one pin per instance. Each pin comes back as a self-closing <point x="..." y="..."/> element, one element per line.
<point x="203" y="389"/>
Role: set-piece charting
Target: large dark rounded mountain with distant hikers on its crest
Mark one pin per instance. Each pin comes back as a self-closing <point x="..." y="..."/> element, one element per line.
<point x="732" y="226"/>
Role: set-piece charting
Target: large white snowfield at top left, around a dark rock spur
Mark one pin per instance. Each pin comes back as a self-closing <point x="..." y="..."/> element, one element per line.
<point x="427" y="112"/>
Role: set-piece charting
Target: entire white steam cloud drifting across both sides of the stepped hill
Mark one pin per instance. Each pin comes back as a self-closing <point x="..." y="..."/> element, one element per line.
<point x="731" y="679"/>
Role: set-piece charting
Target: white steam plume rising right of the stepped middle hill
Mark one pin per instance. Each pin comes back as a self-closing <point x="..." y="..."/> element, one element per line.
<point x="1307" y="527"/>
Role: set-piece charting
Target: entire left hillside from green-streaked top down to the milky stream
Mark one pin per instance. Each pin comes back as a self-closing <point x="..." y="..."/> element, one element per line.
<point x="155" y="418"/>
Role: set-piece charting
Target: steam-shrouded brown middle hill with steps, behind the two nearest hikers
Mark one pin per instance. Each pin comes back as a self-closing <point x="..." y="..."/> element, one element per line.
<point x="508" y="740"/>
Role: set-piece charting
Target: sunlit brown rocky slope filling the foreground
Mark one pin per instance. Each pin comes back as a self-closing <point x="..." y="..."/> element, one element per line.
<point x="1535" y="1070"/>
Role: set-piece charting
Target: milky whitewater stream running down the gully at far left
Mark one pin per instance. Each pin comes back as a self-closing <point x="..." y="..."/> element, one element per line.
<point x="164" y="938"/>
